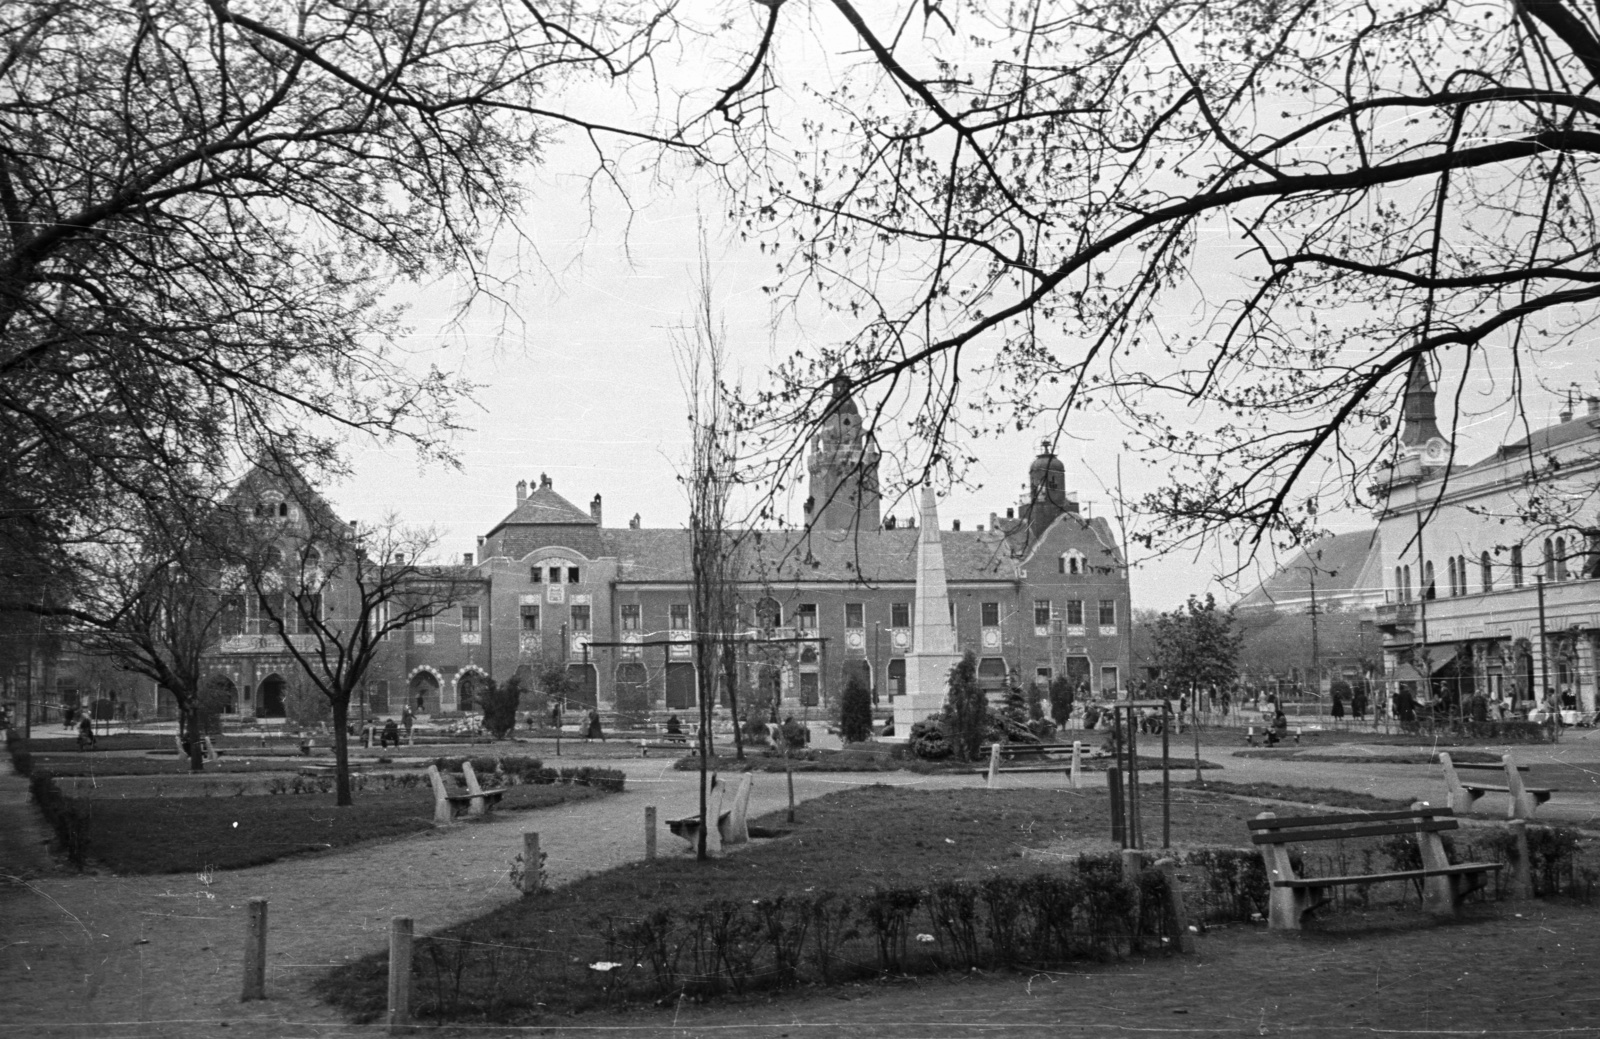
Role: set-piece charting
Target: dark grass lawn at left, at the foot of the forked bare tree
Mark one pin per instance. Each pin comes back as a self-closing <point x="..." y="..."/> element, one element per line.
<point x="191" y="835"/>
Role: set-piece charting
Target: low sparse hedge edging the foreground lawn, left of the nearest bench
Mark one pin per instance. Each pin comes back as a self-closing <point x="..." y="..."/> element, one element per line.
<point x="730" y="947"/>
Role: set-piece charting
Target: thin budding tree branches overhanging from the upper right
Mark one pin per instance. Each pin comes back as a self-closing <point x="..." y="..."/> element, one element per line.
<point x="1234" y="225"/>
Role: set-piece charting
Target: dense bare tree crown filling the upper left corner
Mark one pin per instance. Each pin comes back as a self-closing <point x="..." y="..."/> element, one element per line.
<point x="204" y="201"/>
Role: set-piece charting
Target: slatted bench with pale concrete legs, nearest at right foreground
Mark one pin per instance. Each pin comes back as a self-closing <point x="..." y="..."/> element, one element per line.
<point x="1295" y="897"/>
